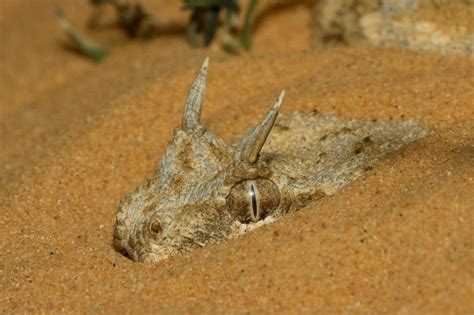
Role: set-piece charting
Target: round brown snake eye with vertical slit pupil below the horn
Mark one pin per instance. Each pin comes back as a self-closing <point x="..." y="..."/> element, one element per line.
<point x="253" y="200"/>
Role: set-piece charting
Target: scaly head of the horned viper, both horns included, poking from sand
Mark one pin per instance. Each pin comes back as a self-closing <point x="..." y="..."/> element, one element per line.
<point x="207" y="190"/>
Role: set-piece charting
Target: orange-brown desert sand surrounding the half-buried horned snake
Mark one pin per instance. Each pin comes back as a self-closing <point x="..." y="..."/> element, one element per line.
<point x="76" y="136"/>
